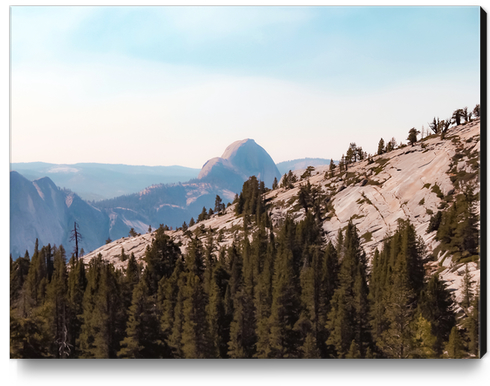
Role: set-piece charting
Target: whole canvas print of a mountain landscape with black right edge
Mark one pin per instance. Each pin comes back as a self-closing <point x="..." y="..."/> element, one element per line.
<point x="246" y="182"/>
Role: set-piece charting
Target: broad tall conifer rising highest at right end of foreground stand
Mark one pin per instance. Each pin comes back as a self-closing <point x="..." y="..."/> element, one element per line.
<point x="397" y="279"/>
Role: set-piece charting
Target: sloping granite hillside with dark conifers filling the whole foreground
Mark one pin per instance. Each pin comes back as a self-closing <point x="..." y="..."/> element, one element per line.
<point x="376" y="257"/>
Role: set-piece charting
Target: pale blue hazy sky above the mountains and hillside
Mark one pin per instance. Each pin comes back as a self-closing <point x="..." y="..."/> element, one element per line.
<point x="176" y="85"/>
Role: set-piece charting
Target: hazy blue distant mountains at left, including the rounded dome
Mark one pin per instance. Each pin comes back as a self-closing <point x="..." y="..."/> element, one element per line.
<point x="39" y="209"/>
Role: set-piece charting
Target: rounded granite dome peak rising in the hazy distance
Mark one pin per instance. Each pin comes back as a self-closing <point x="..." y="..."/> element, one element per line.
<point x="239" y="161"/>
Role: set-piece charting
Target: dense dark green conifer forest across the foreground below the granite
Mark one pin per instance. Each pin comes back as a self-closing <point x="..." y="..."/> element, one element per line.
<point x="274" y="292"/>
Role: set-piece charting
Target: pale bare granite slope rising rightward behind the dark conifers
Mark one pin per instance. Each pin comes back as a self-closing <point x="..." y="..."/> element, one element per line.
<point x="407" y="183"/>
